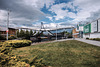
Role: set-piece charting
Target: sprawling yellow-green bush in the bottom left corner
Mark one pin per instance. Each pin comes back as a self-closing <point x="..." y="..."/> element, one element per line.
<point x="7" y="59"/>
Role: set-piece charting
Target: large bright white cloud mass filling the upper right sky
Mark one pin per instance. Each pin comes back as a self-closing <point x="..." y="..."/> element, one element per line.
<point x="79" y="10"/>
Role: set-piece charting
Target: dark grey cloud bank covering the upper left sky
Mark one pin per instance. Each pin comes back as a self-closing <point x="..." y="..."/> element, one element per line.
<point x="23" y="12"/>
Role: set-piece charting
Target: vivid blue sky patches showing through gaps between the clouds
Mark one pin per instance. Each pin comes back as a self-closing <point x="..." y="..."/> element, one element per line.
<point x="46" y="11"/>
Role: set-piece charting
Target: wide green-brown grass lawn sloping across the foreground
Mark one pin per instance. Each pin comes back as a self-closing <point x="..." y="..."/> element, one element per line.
<point x="70" y="53"/>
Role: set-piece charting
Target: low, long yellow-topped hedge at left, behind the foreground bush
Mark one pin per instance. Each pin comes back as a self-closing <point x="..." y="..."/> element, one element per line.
<point x="18" y="43"/>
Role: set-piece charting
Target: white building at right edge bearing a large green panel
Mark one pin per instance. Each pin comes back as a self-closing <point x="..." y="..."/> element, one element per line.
<point x="92" y="30"/>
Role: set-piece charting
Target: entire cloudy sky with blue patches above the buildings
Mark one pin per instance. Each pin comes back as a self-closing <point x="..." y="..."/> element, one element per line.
<point x="60" y="13"/>
